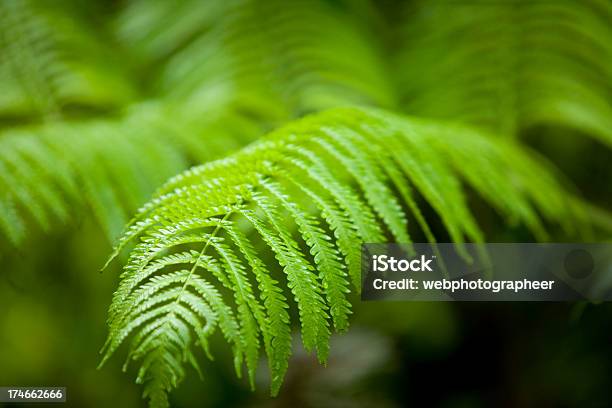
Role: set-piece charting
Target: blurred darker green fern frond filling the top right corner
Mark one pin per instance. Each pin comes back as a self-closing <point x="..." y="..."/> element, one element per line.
<point x="506" y="65"/>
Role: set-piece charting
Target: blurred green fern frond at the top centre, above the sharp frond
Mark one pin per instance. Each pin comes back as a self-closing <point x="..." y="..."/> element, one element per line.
<point x="264" y="56"/>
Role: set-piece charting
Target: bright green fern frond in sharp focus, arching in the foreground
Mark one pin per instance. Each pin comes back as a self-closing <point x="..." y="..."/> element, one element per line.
<point x="227" y="246"/>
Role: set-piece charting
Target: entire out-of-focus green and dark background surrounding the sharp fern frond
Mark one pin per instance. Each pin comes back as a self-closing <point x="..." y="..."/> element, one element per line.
<point x="101" y="101"/>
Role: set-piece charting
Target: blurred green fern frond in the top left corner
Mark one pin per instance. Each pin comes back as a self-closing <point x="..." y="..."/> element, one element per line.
<point x="45" y="69"/>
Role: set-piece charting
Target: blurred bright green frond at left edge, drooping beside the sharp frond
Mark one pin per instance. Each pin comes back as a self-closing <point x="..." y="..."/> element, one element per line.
<point x="107" y="166"/>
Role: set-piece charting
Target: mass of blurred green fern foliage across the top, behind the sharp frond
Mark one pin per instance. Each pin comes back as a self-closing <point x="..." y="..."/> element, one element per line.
<point x="198" y="81"/>
